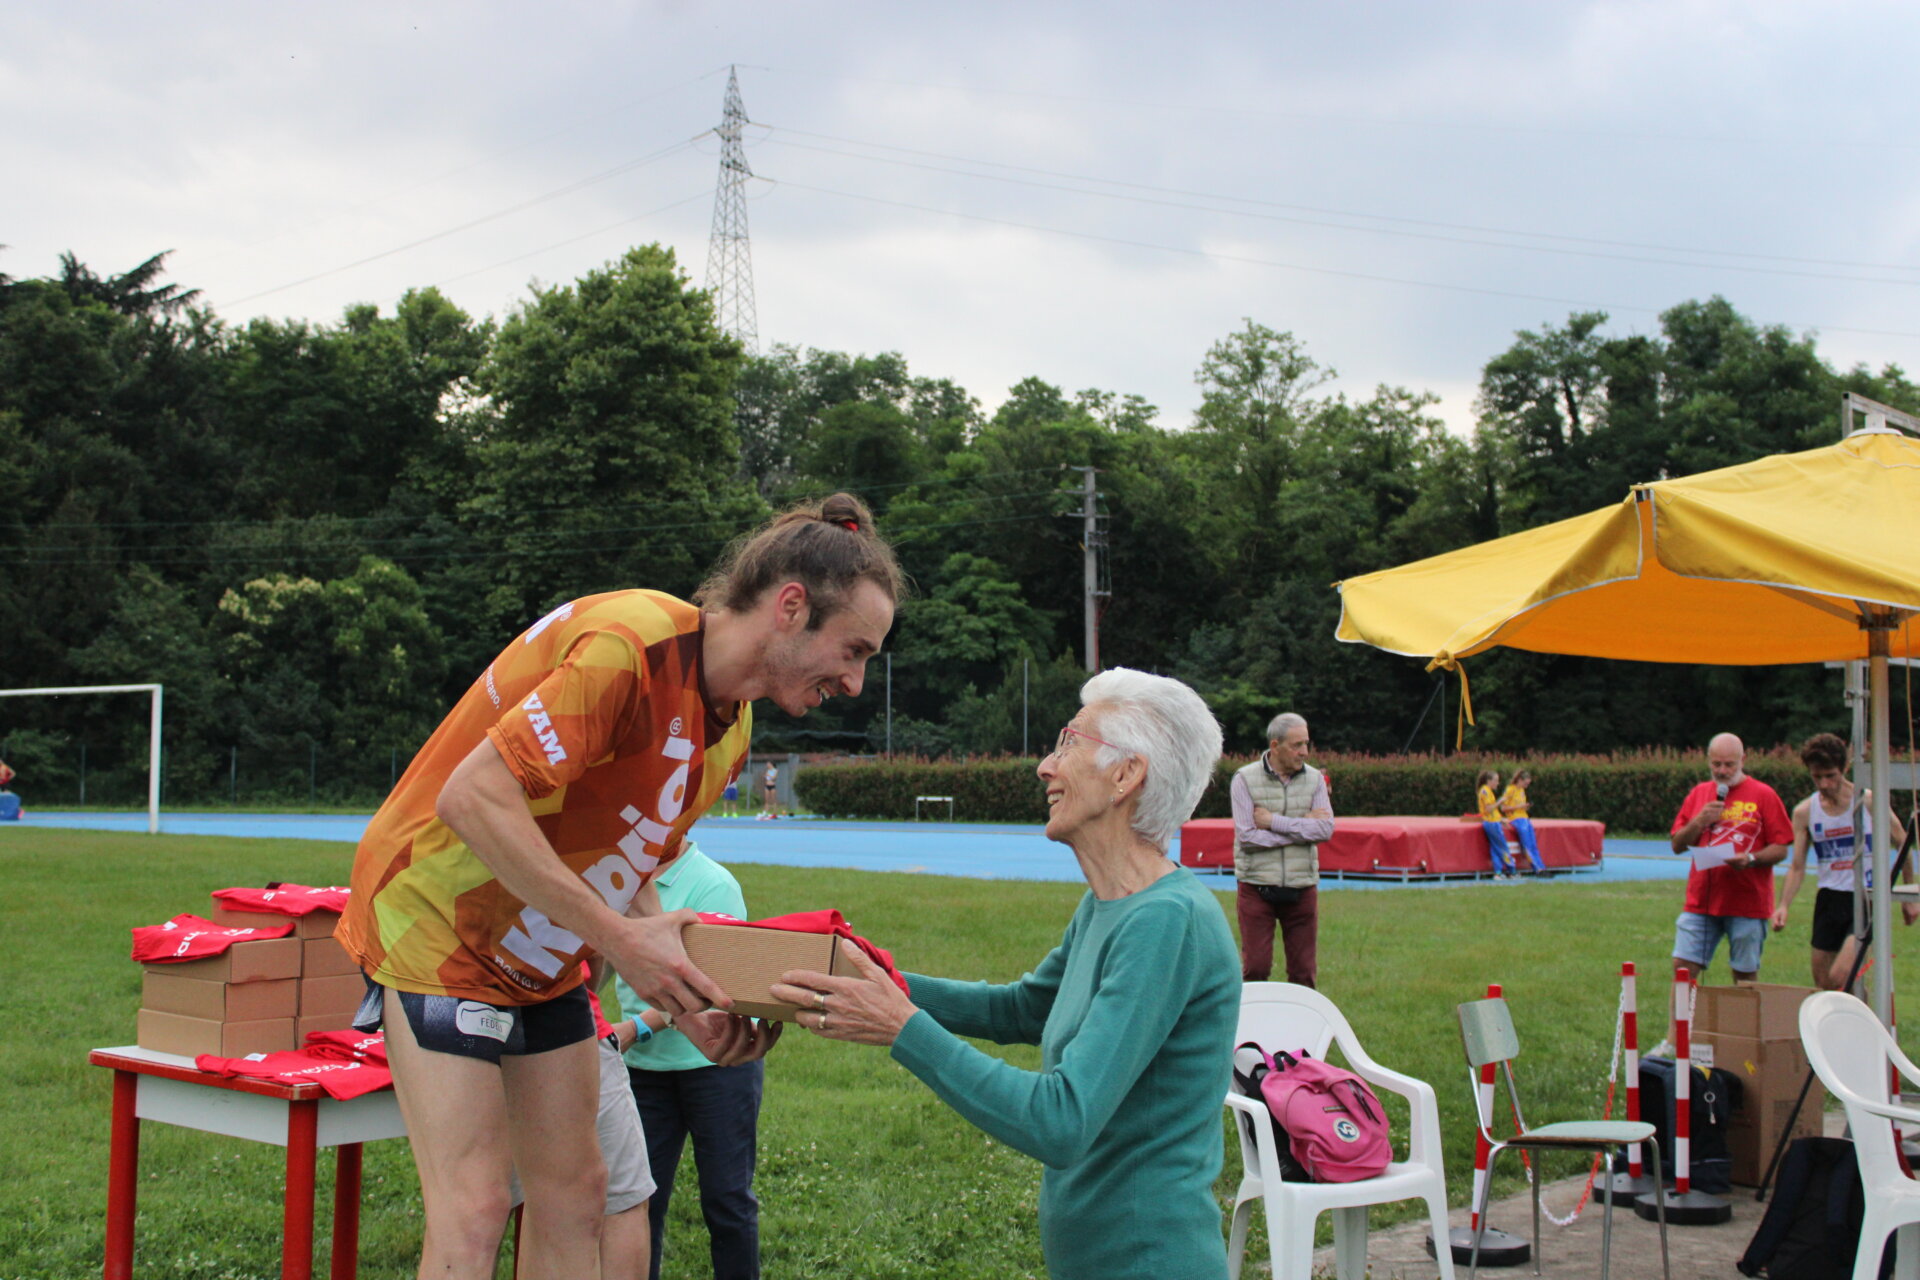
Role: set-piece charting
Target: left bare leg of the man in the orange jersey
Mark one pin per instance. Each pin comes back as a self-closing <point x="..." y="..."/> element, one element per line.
<point x="456" y="1114"/>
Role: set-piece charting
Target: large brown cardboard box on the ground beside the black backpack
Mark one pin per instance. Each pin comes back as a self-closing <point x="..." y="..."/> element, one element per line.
<point x="1752" y="1031"/>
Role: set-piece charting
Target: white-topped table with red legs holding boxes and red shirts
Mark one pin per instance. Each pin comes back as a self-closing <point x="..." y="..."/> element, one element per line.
<point x="302" y="1118"/>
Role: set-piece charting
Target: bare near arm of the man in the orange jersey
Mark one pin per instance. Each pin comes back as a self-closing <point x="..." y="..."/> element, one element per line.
<point x="483" y="805"/>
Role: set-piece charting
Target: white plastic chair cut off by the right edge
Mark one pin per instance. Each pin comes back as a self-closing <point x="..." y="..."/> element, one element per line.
<point x="1850" y="1051"/>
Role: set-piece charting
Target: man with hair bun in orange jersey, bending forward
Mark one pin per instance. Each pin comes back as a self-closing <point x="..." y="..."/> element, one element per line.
<point x="525" y="838"/>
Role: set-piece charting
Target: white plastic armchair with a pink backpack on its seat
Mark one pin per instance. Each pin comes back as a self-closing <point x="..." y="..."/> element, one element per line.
<point x="1280" y="1016"/>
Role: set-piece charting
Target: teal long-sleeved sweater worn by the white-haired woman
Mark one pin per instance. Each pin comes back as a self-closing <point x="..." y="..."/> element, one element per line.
<point x="1136" y="1014"/>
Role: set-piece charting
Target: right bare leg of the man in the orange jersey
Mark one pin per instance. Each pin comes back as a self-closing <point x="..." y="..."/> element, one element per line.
<point x="552" y="1112"/>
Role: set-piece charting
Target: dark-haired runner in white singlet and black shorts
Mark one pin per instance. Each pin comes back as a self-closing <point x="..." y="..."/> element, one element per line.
<point x="1823" y="826"/>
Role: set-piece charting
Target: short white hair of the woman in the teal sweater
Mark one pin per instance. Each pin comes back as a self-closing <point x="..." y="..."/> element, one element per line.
<point x="1164" y="723"/>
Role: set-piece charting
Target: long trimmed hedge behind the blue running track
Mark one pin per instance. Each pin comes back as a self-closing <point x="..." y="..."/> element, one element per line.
<point x="1633" y="792"/>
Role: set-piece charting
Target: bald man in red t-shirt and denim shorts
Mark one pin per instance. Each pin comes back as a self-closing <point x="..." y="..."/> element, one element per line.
<point x="1744" y="830"/>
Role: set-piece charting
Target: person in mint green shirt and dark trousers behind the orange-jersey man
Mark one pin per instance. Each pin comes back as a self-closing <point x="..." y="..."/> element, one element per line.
<point x="683" y="1095"/>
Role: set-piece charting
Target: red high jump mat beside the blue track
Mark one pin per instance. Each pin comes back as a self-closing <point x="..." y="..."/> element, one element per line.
<point x="1408" y="847"/>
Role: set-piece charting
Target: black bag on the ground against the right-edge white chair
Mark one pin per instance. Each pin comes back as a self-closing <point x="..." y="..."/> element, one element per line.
<point x="1813" y="1223"/>
